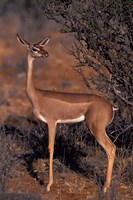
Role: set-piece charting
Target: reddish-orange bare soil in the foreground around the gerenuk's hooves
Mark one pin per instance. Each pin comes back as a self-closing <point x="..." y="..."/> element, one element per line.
<point x="67" y="185"/>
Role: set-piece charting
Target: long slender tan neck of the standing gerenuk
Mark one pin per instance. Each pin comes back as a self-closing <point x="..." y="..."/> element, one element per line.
<point x="30" y="88"/>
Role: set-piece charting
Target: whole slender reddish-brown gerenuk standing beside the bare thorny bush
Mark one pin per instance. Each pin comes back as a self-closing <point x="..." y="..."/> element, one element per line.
<point x="53" y="107"/>
